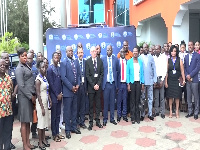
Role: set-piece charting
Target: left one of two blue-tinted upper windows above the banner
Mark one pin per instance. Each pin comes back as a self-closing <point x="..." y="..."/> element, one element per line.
<point x="91" y="11"/>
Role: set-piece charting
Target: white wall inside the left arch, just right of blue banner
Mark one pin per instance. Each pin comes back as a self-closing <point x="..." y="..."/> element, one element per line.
<point x="154" y="31"/>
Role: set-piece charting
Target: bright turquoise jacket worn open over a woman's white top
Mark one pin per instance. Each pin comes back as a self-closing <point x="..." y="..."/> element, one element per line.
<point x="130" y="71"/>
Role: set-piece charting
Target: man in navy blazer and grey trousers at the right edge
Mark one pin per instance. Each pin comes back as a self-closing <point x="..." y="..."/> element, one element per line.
<point x="192" y="67"/>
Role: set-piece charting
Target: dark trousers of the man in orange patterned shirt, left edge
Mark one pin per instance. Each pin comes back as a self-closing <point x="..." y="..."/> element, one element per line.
<point x="6" y="124"/>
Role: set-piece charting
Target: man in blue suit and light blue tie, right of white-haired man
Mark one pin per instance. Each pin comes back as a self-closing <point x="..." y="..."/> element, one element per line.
<point x="109" y="85"/>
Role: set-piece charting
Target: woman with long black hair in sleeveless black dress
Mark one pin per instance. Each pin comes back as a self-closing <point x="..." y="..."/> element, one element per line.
<point x="172" y="83"/>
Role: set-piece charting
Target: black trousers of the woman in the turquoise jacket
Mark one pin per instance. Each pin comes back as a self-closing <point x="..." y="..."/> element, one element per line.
<point x="135" y="100"/>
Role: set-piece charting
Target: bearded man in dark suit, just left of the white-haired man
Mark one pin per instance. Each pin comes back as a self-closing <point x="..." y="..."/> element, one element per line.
<point x="81" y="102"/>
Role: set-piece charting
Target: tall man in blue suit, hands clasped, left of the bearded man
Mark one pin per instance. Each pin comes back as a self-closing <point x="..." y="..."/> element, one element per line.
<point x="70" y="76"/>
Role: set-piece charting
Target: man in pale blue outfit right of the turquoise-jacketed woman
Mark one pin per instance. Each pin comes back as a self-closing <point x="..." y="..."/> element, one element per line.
<point x="150" y="78"/>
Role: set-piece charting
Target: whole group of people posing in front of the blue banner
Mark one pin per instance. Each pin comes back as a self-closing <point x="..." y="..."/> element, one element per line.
<point x="75" y="87"/>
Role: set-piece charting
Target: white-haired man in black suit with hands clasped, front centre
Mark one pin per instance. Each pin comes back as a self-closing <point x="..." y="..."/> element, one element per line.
<point x="94" y="75"/>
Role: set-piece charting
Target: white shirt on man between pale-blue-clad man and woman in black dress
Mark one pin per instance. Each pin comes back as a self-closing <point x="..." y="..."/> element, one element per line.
<point x="161" y="66"/>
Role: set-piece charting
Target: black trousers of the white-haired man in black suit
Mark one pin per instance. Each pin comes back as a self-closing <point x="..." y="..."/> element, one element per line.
<point x="94" y="98"/>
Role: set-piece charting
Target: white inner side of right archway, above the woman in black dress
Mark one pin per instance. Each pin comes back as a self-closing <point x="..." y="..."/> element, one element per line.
<point x="181" y="32"/>
